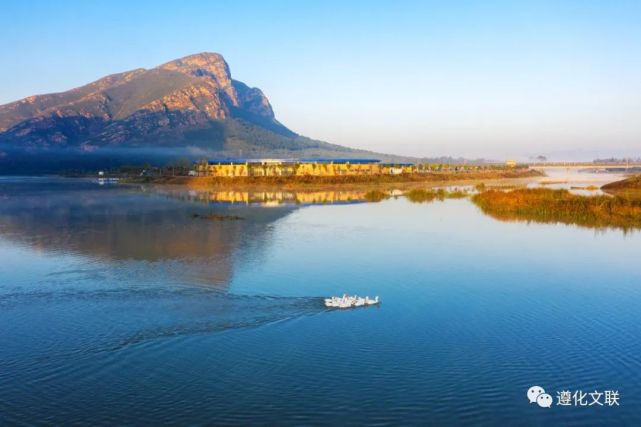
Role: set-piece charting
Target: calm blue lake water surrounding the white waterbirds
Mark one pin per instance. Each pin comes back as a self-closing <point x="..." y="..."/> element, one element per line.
<point x="125" y="305"/>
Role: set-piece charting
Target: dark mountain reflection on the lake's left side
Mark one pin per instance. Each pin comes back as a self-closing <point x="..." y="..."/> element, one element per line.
<point x="127" y="225"/>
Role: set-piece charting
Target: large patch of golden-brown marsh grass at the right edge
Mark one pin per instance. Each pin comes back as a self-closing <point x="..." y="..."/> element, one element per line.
<point x="560" y="206"/>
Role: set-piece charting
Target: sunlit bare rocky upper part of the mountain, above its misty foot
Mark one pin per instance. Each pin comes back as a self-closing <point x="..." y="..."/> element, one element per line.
<point x="194" y="95"/>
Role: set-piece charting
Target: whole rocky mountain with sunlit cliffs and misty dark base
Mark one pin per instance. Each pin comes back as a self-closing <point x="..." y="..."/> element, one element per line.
<point x="187" y="108"/>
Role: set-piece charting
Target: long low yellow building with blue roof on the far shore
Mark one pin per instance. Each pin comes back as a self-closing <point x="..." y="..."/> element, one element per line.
<point x="303" y="167"/>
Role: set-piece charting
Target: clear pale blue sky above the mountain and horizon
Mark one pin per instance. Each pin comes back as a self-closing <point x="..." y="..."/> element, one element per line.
<point x="492" y="79"/>
